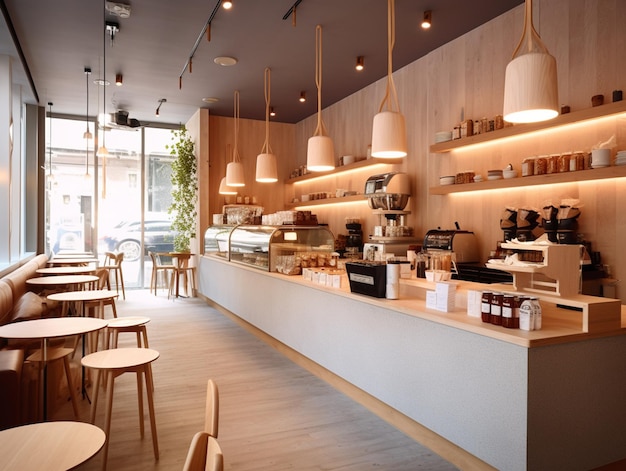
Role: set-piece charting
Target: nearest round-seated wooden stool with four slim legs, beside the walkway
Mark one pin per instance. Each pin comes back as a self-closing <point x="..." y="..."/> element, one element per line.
<point x="113" y="363"/>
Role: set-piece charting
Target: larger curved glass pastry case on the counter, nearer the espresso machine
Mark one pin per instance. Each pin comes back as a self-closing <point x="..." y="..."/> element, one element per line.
<point x="280" y="248"/>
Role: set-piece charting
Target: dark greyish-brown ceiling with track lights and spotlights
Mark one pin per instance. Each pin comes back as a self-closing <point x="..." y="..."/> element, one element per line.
<point x="60" y="38"/>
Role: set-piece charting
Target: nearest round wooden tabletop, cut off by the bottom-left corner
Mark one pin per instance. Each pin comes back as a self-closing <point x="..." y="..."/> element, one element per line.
<point x="49" y="445"/>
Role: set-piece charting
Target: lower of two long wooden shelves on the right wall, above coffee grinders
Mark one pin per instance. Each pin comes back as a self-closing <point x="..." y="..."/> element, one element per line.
<point x="547" y="179"/>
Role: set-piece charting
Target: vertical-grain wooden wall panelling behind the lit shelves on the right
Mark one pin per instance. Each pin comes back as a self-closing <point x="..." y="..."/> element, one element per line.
<point x="466" y="77"/>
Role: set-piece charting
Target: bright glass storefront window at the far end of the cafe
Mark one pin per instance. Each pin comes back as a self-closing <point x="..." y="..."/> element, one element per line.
<point x="117" y="203"/>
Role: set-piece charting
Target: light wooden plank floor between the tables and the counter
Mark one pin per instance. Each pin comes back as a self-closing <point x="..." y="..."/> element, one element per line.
<point x="274" y="415"/>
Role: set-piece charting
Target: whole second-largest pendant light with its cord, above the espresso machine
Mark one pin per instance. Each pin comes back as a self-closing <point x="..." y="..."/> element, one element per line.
<point x="389" y="129"/>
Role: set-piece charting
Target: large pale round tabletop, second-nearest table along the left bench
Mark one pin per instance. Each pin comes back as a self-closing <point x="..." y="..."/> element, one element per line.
<point x="51" y="328"/>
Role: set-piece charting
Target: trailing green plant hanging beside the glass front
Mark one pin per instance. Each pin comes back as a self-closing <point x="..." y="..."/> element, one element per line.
<point x="184" y="189"/>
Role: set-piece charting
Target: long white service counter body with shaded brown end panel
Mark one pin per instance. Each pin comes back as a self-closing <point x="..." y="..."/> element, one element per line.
<point x="555" y="406"/>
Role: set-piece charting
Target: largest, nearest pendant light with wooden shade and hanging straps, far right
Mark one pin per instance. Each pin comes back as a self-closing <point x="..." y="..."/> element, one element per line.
<point x="530" y="84"/>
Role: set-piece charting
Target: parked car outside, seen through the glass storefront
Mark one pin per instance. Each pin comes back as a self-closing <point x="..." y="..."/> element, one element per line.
<point x="126" y="237"/>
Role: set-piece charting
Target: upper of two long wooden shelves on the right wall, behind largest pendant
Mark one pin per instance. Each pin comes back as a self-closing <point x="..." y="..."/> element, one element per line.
<point x="519" y="129"/>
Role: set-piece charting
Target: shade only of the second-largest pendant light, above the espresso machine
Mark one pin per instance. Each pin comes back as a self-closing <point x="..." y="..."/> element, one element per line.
<point x="389" y="135"/>
